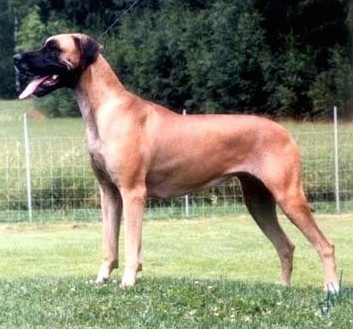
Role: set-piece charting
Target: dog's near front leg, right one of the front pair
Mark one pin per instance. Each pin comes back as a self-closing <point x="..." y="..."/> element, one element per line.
<point x="134" y="201"/>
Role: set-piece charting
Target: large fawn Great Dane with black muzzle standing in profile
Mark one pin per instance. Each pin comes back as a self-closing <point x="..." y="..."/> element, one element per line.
<point x="138" y="149"/>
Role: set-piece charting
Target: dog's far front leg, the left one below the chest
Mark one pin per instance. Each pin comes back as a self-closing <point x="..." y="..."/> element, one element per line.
<point x="111" y="212"/>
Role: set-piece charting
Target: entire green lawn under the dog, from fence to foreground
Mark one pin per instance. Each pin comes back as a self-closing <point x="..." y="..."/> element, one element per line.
<point x="209" y="273"/>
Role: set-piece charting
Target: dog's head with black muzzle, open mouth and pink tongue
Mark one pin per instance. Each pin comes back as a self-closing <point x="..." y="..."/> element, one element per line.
<point x="57" y="64"/>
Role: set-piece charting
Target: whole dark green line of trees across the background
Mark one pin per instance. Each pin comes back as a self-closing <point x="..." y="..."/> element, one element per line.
<point x="279" y="58"/>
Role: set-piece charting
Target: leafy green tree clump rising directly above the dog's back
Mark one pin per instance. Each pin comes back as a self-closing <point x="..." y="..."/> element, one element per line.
<point x="208" y="60"/>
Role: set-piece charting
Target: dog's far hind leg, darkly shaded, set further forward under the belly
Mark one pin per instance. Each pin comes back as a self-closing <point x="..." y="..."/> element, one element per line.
<point x="262" y="207"/>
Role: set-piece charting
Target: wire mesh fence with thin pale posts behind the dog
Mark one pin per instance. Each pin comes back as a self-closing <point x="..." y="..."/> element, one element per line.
<point x="52" y="179"/>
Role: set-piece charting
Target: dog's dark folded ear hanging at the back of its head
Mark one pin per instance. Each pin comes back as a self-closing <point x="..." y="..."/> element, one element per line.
<point x="89" y="50"/>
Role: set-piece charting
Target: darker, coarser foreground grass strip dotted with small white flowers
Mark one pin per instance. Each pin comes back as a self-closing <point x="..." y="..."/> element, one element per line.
<point x="74" y="302"/>
